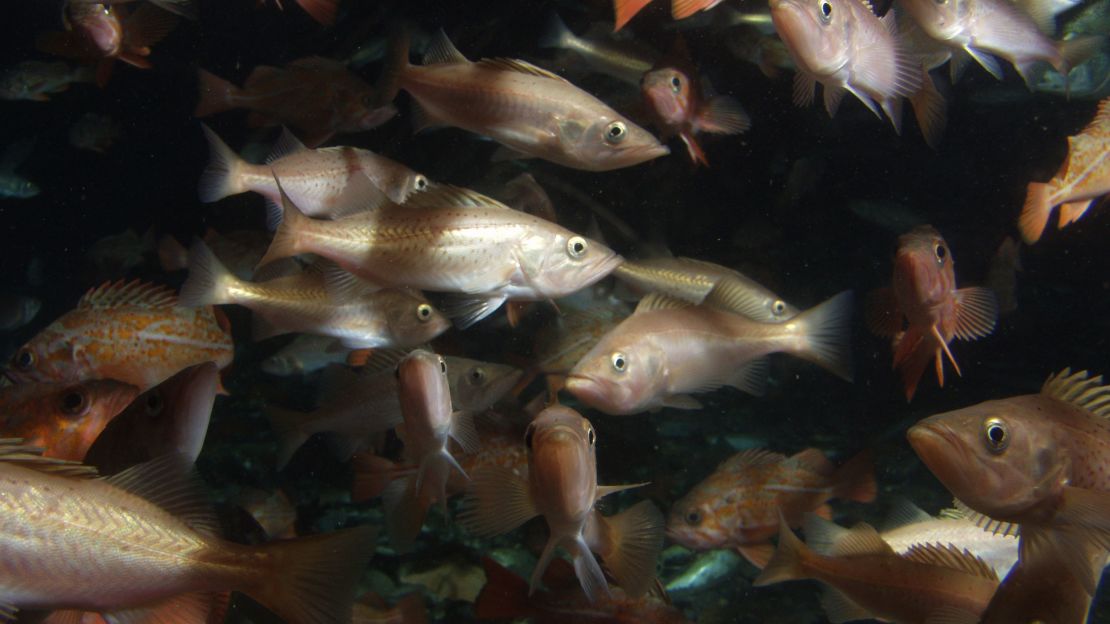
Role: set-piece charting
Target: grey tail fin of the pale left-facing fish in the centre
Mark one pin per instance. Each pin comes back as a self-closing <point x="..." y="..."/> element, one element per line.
<point x="828" y="333"/>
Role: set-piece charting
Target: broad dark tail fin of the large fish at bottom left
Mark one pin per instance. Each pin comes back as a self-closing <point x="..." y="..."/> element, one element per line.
<point x="315" y="580"/>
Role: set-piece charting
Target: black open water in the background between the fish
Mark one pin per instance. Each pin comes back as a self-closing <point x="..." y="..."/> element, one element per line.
<point x="805" y="244"/>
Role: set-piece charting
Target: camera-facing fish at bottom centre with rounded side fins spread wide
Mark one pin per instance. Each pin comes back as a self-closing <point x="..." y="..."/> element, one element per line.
<point x="562" y="487"/>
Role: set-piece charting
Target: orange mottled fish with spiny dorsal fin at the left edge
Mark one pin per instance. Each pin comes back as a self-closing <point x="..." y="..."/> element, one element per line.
<point x="134" y="333"/>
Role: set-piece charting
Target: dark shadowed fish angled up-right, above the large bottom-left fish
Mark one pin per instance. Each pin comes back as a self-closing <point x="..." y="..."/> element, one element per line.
<point x="170" y="419"/>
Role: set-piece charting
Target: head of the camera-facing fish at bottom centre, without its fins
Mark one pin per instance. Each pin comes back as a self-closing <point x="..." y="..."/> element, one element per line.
<point x="562" y="466"/>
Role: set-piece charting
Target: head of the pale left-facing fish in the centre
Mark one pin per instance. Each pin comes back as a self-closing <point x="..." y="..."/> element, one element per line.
<point x="622" y="375"/>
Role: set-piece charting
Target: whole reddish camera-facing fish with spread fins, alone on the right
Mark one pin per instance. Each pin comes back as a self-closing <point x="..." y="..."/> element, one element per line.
<point x="924" y="310"/>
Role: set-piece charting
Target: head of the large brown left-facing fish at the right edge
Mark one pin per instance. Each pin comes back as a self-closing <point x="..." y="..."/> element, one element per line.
<point x="1001" y="458"/>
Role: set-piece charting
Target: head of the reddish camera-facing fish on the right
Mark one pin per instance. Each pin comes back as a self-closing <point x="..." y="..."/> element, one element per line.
<point x="924" y="268"/>
